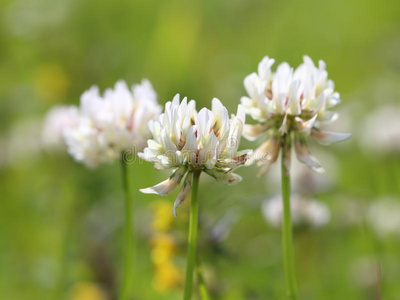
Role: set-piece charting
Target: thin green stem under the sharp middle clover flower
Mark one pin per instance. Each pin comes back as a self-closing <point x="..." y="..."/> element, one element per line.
<point x="192" y="241"/>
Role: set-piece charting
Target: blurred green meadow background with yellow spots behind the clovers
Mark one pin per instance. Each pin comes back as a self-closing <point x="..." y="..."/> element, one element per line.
<point x="61" y="224"/>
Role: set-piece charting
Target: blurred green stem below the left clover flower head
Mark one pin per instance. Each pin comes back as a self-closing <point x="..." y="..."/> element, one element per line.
<point x="126" y="292"/>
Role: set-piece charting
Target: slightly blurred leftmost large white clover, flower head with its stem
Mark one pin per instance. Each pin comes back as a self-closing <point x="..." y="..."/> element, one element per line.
<point x="110" y="127"/>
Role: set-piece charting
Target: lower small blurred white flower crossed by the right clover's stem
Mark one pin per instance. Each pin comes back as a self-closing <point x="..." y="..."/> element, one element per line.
<point x="304" y="211"/>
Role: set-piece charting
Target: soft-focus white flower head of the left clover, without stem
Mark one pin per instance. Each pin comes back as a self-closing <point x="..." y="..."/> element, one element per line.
<point x="112" y="123"/>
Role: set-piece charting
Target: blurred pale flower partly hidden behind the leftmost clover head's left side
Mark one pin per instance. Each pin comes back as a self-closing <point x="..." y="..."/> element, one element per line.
<point x="57" y="120"/>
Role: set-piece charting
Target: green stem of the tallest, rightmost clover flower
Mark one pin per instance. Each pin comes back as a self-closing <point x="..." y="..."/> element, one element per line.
<point x="287" y="234"/>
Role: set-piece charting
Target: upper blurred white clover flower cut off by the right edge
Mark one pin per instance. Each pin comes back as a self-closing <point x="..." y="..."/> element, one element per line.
<point x="381" y="130"/>
